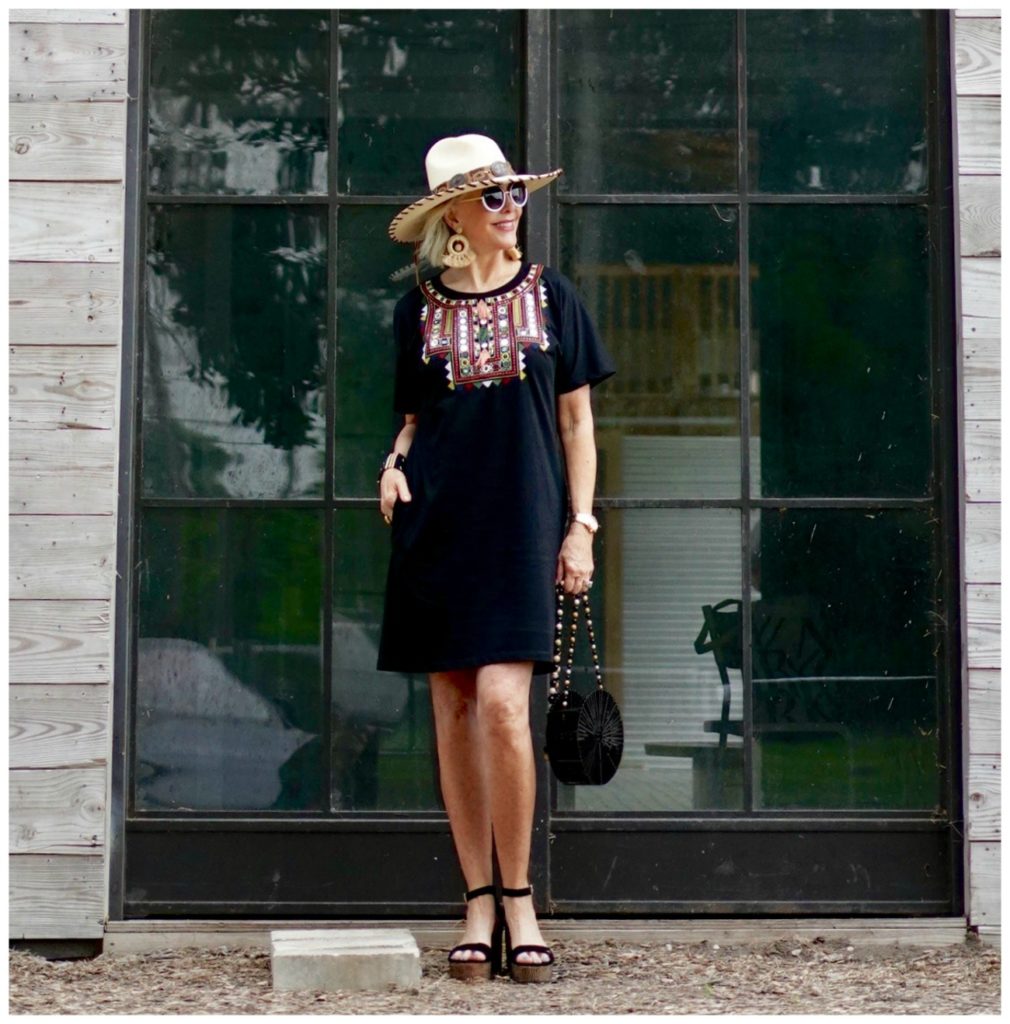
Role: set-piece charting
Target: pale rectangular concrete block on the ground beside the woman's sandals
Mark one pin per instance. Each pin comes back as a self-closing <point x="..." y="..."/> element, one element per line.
<point x="333" y="959"/>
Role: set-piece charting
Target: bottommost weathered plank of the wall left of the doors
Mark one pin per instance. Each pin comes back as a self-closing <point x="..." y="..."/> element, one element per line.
<point x="57" y="898"/>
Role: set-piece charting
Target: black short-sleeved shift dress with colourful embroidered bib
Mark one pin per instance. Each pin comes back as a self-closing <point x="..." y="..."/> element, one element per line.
<point x="475" y="553"/>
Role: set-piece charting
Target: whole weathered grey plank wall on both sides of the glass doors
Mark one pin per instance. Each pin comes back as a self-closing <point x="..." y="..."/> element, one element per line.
<point x="68" y="119"/>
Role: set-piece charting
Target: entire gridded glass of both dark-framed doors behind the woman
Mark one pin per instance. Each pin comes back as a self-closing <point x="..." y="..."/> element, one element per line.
<point x="752" y="231"/>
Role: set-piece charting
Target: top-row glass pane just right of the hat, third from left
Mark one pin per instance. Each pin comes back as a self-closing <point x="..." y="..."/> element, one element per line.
<point x="648" y="101"/>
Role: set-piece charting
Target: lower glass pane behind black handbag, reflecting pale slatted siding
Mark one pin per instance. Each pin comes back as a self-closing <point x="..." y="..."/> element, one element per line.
<point x="657" y="572"/>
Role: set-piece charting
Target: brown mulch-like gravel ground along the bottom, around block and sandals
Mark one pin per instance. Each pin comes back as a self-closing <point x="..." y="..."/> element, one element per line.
<point x="784" y="977"/>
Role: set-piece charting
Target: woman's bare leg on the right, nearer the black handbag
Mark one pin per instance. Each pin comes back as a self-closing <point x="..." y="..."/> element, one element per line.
<point x="503" y="724"/>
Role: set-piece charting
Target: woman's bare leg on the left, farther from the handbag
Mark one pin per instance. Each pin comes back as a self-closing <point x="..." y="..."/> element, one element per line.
<point x="461" y="778"/>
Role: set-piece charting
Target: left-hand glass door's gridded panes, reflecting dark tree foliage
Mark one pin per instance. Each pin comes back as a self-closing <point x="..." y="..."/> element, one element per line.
<point x="280" y="146"/>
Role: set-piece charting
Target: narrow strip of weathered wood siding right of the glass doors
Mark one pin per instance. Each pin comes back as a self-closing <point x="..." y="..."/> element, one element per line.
<point x="977" y="39"/>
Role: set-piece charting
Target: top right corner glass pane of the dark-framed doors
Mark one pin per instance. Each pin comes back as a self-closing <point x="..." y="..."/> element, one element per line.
<point x="837" y="101"/>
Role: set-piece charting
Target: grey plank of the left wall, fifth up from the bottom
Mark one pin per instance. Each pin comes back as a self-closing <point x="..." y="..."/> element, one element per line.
<point x="63" y="558"/>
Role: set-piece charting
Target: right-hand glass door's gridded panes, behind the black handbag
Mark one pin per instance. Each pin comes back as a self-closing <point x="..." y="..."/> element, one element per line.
<point x="720" y="496"/>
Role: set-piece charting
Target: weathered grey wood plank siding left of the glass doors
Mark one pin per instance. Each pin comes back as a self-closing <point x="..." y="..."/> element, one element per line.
<point x="68" y="147"/>
